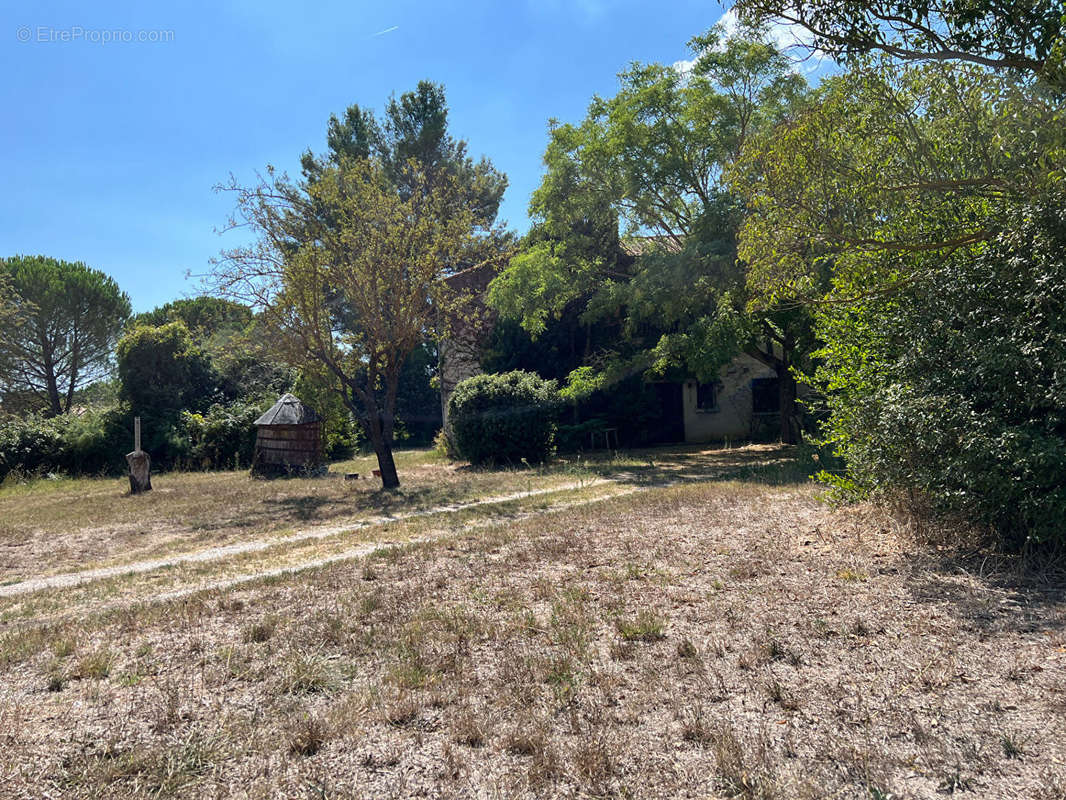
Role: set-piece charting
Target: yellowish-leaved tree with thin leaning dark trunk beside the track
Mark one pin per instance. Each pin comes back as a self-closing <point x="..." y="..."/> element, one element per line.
<point x="349" y="273"/>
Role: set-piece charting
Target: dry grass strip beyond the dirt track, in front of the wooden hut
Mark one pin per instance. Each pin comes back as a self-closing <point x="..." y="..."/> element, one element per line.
<point x="56" y="526"/>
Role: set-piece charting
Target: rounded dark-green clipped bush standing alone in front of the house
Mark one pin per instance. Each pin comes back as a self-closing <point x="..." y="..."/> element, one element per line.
<point x="505" y="419"/>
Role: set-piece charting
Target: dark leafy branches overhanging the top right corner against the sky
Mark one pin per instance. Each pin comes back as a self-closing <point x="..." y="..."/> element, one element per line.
<point x="1024" y="36"/>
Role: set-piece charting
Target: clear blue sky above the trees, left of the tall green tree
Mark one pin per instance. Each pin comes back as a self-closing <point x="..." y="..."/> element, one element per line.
<point x="110" y="150"/>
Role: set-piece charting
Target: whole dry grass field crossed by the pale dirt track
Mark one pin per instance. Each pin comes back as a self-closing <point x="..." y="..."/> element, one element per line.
<point x="676" y="623"/>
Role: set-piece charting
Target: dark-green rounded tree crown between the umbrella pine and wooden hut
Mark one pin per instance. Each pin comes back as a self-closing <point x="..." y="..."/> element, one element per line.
<point x="163" y="372"/>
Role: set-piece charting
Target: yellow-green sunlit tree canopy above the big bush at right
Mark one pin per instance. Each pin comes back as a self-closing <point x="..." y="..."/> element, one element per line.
<point x="892" y="169"/>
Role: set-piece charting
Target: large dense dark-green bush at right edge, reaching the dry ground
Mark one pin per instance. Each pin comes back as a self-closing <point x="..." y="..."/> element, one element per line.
<point x="954" y="391"/>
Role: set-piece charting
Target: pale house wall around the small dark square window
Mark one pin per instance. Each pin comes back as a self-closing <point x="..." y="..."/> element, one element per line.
<point x="734" y="417"/>
